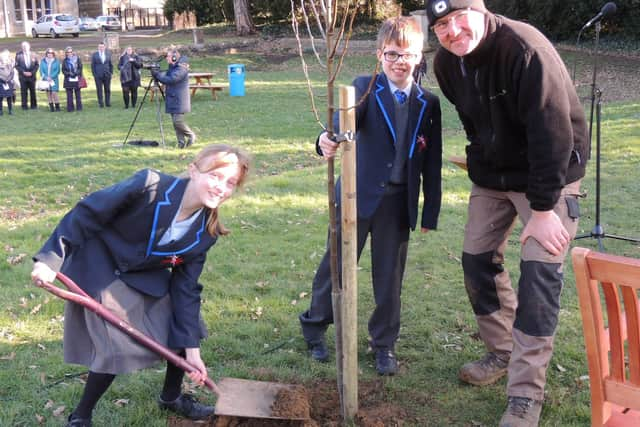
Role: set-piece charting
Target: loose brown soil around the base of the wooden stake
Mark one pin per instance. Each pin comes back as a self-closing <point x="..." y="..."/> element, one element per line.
<point x="321" y="401"/>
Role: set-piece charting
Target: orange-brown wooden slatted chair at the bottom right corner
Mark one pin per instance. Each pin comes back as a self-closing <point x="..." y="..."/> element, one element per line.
<point x="613" y="349"/>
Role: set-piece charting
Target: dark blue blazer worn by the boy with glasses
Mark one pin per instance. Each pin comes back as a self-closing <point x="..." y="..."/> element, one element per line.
<point x="375" y="149"/>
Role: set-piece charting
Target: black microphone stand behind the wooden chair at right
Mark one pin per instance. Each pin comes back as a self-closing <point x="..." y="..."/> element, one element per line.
<point x="596" y="105"/>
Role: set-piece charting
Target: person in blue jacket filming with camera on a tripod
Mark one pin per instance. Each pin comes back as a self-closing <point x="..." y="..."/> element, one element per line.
<point x="177" y="96"/>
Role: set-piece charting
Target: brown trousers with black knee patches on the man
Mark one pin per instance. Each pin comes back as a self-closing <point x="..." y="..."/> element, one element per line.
<point x="522" y="323"/>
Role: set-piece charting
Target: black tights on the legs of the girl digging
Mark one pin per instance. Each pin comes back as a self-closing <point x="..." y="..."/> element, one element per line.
<point x="97" y="385"/>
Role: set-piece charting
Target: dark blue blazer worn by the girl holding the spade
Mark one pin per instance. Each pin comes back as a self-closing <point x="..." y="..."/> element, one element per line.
<point x="113" y="234"/>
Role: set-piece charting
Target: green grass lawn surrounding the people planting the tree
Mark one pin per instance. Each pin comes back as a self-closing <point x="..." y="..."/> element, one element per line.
<point x="258" y="279"/>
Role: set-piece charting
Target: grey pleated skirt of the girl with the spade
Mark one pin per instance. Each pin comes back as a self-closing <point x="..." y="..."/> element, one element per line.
<point x="91" y="341"/>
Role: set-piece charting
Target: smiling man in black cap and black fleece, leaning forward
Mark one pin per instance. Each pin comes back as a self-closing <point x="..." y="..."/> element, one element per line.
<point x="527" y="152"/>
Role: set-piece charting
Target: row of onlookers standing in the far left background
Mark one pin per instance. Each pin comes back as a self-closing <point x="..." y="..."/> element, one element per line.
<point x="22" y="72"/>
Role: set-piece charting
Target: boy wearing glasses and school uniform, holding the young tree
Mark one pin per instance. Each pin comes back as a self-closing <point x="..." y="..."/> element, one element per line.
<point x="399" y="152"/>
